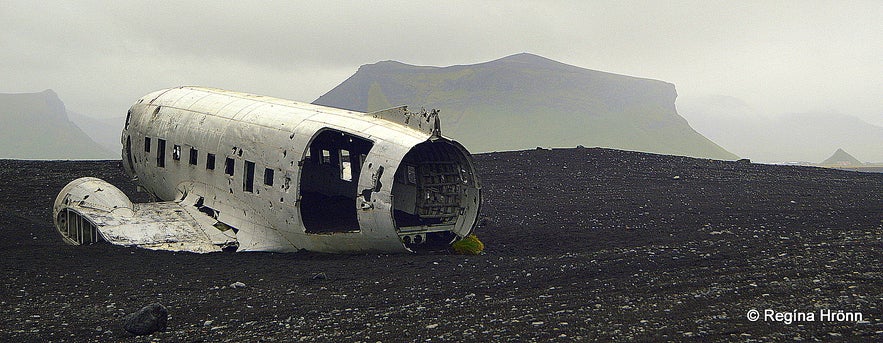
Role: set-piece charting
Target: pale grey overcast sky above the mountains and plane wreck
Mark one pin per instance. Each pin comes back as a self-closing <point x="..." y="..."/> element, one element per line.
<point x="779" y="56"/>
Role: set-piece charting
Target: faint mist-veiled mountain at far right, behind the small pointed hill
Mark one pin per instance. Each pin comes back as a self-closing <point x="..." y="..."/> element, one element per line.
<point x="787" y="137"/>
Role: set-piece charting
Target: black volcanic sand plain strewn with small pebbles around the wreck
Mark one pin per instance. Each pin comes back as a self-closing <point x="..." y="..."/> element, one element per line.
<point x="582" y="244"/>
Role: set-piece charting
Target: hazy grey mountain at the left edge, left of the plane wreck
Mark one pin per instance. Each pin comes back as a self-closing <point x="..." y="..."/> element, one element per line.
<point x="36" y="126"/>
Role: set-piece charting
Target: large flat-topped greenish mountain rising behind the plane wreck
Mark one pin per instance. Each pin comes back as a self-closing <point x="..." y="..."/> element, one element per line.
<point x="524" y="101"/>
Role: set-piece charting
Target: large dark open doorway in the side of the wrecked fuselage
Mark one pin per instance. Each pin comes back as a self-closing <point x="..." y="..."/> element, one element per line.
<point x="329" y="180"/>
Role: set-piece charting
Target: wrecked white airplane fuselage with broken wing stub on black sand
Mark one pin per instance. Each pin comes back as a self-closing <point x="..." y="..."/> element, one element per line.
<point x="243" y="172"/>
